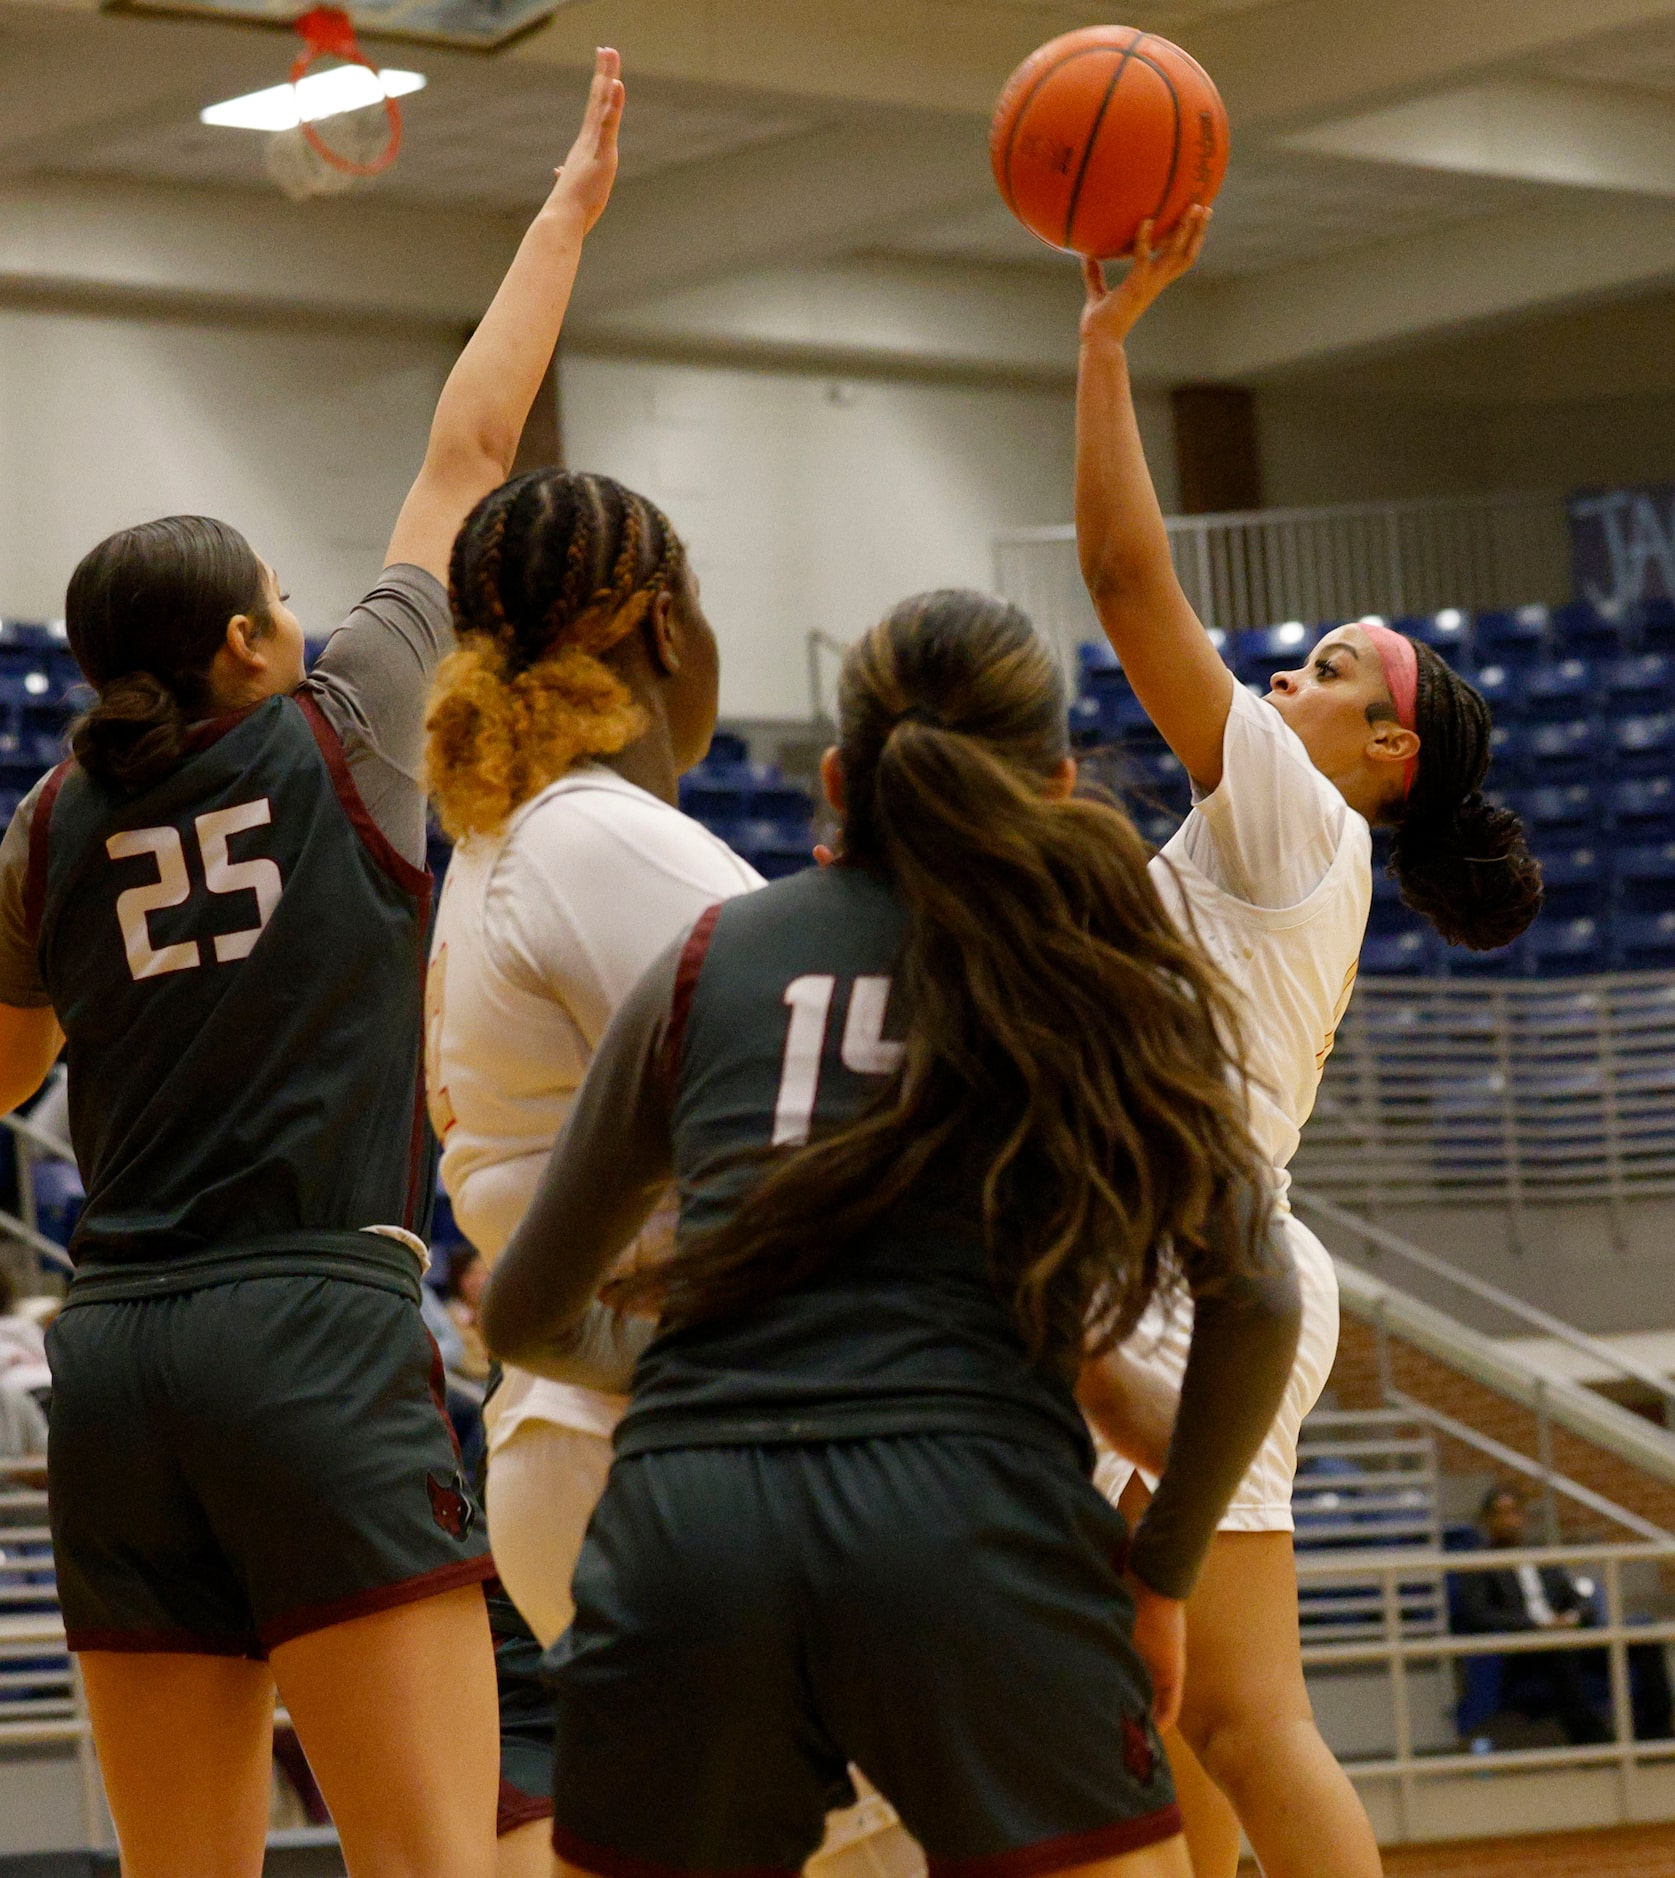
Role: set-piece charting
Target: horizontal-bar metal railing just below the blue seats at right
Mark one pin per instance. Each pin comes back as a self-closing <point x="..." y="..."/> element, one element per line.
<point x="1513" y="1092"/>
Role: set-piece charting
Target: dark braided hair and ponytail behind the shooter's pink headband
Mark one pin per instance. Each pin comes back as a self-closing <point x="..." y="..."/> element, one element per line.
<point x="1460" y="861"/>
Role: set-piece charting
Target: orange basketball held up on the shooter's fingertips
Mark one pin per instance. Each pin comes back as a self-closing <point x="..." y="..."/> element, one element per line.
<point x="1101" y="131"/>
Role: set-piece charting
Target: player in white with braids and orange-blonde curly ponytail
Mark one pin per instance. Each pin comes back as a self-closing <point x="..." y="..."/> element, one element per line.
<point x="583" y="688"/>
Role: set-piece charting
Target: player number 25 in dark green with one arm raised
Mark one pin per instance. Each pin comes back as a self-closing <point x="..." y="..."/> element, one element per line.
<point x="223" y="906"/>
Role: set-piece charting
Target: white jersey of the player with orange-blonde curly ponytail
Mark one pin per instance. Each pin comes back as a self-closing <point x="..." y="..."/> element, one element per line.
<point x="542" y="932"/>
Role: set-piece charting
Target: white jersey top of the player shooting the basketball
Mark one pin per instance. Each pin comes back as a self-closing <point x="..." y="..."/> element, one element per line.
<point x="1276" y="872"/>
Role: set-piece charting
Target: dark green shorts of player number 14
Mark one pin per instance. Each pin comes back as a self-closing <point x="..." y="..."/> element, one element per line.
<point x="945" y="1612"/>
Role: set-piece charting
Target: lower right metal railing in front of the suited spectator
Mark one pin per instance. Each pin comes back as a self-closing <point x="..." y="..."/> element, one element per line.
<point x="1398" y="1652"/>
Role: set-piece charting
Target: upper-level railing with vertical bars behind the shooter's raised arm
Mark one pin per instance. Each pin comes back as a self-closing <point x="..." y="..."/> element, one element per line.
<point x="1265" y="566"/>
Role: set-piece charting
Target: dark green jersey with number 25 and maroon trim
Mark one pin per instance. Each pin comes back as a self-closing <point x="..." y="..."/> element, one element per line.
<point x="238" y="961"/>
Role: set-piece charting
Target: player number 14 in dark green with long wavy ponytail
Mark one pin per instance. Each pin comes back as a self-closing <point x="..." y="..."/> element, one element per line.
<point x="942" y="1118"/>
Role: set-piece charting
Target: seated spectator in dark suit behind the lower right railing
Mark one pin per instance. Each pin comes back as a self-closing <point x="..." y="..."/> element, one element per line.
<point x="1529" y="1597"/>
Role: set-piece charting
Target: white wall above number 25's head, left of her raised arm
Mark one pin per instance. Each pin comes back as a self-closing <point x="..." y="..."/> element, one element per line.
<point x="303" y="439"/>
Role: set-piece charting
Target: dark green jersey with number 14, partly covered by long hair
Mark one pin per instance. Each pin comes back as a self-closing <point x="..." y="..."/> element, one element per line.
<point x="784" y="1026"/>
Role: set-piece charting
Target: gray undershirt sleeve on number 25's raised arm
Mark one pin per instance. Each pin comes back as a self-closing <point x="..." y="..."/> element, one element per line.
<point x="373" y="683"/>
